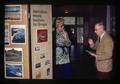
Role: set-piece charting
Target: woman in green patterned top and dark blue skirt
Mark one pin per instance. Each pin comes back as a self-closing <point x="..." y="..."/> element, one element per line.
<point x="63" y="67"/>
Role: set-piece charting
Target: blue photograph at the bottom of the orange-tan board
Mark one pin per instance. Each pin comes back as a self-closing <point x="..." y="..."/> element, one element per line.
<point x="14" y="71"/>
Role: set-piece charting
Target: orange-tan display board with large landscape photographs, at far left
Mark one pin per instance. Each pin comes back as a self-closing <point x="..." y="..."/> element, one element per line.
<point x="16" y="52"/>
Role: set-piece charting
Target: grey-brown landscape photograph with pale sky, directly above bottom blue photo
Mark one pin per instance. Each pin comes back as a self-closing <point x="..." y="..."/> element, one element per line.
<point x="13" y="54"/>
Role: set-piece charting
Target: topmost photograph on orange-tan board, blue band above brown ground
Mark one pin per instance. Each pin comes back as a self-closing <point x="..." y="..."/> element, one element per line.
<point x="13" y="12"/>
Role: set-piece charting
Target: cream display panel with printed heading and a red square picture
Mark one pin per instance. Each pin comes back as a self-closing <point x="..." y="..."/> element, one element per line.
<point x="41" y="41"/>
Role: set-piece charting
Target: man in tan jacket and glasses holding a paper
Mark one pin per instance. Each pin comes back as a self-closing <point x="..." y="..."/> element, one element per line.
<point x="104" y="50"/>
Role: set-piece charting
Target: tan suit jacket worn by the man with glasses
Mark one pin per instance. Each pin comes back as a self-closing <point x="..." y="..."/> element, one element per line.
<point x="104" y="50"/>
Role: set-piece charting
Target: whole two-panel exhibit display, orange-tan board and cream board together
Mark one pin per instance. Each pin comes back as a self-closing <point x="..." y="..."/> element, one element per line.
<point x="28" y="42"/>
